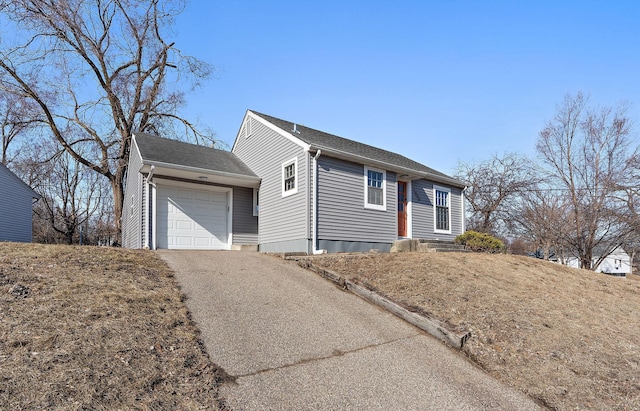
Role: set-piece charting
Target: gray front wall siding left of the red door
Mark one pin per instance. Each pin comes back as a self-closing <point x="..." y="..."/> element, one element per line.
<point x="341" y="212"/>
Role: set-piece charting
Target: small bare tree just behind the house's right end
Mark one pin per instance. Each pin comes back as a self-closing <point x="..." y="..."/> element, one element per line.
<point x="494" y="187"/>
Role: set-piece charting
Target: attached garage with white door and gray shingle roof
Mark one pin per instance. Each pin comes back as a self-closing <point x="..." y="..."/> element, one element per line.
<point x="187" y="197"/>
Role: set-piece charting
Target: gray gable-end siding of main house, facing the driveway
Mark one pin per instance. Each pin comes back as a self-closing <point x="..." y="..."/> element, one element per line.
<point x="281" y="219"/>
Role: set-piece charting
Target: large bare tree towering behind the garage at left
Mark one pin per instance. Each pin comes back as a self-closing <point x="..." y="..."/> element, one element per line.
<point x="98" y="70"/>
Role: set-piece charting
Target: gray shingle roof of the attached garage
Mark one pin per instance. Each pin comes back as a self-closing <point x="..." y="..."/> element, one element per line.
<point x="154" y="149"/>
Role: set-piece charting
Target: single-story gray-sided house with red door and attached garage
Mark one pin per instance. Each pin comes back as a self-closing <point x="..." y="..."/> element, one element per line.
<point x="283" y="187"/>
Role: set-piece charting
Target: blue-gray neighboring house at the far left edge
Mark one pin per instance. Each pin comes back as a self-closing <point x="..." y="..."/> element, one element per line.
<point x="16" y="207"/>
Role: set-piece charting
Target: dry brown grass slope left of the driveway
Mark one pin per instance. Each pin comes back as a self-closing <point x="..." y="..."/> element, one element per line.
<point x="98" y="328"/>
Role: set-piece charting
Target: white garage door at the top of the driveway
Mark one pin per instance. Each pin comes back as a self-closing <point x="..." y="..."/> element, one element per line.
<point x="190" y="218"/>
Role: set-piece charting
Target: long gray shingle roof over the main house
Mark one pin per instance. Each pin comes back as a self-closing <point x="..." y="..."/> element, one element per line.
<point x="325" y="141"/>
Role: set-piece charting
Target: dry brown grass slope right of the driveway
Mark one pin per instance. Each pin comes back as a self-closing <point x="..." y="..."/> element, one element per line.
<point x="568" y="338"/>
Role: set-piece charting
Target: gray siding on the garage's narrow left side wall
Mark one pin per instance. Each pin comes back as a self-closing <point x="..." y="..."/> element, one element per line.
<point x="132" y="218"/>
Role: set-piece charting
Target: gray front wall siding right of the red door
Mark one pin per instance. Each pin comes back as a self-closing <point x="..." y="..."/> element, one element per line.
<point x="422" y="211"/>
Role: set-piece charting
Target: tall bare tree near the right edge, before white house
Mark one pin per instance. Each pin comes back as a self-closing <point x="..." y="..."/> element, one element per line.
<point x="588" y="153"/>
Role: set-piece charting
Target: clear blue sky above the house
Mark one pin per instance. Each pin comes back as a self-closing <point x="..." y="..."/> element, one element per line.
<point x="436" y="81"/>
